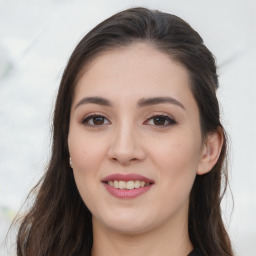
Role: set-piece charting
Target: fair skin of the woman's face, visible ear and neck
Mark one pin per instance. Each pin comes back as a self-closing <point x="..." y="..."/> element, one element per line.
<point x="159" y="139"/>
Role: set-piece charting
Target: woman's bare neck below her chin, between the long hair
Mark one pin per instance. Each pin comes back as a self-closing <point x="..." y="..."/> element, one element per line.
<point x="164" y="241"/>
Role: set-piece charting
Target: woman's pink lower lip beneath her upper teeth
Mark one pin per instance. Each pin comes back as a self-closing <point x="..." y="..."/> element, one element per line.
<point x="127" y="193"/>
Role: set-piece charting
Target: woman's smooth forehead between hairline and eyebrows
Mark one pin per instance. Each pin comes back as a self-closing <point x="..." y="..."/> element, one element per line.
<point x="138" y="70"/>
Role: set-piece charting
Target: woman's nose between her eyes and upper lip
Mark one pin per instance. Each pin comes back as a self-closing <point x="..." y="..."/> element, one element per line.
<point x="126" y="146"/>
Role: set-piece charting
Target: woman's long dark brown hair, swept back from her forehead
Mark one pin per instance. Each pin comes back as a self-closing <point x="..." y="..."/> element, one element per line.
<point x="59" y="222"/>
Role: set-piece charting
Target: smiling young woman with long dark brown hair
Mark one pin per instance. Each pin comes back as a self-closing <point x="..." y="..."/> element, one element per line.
<point x="138" y="147"/>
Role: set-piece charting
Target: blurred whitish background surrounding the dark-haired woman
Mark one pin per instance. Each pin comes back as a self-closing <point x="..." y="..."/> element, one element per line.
<point x="36" y="39"/>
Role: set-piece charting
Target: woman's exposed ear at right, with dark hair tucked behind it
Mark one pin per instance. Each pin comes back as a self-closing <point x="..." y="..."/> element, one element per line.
<point x="210" y="152"/>
